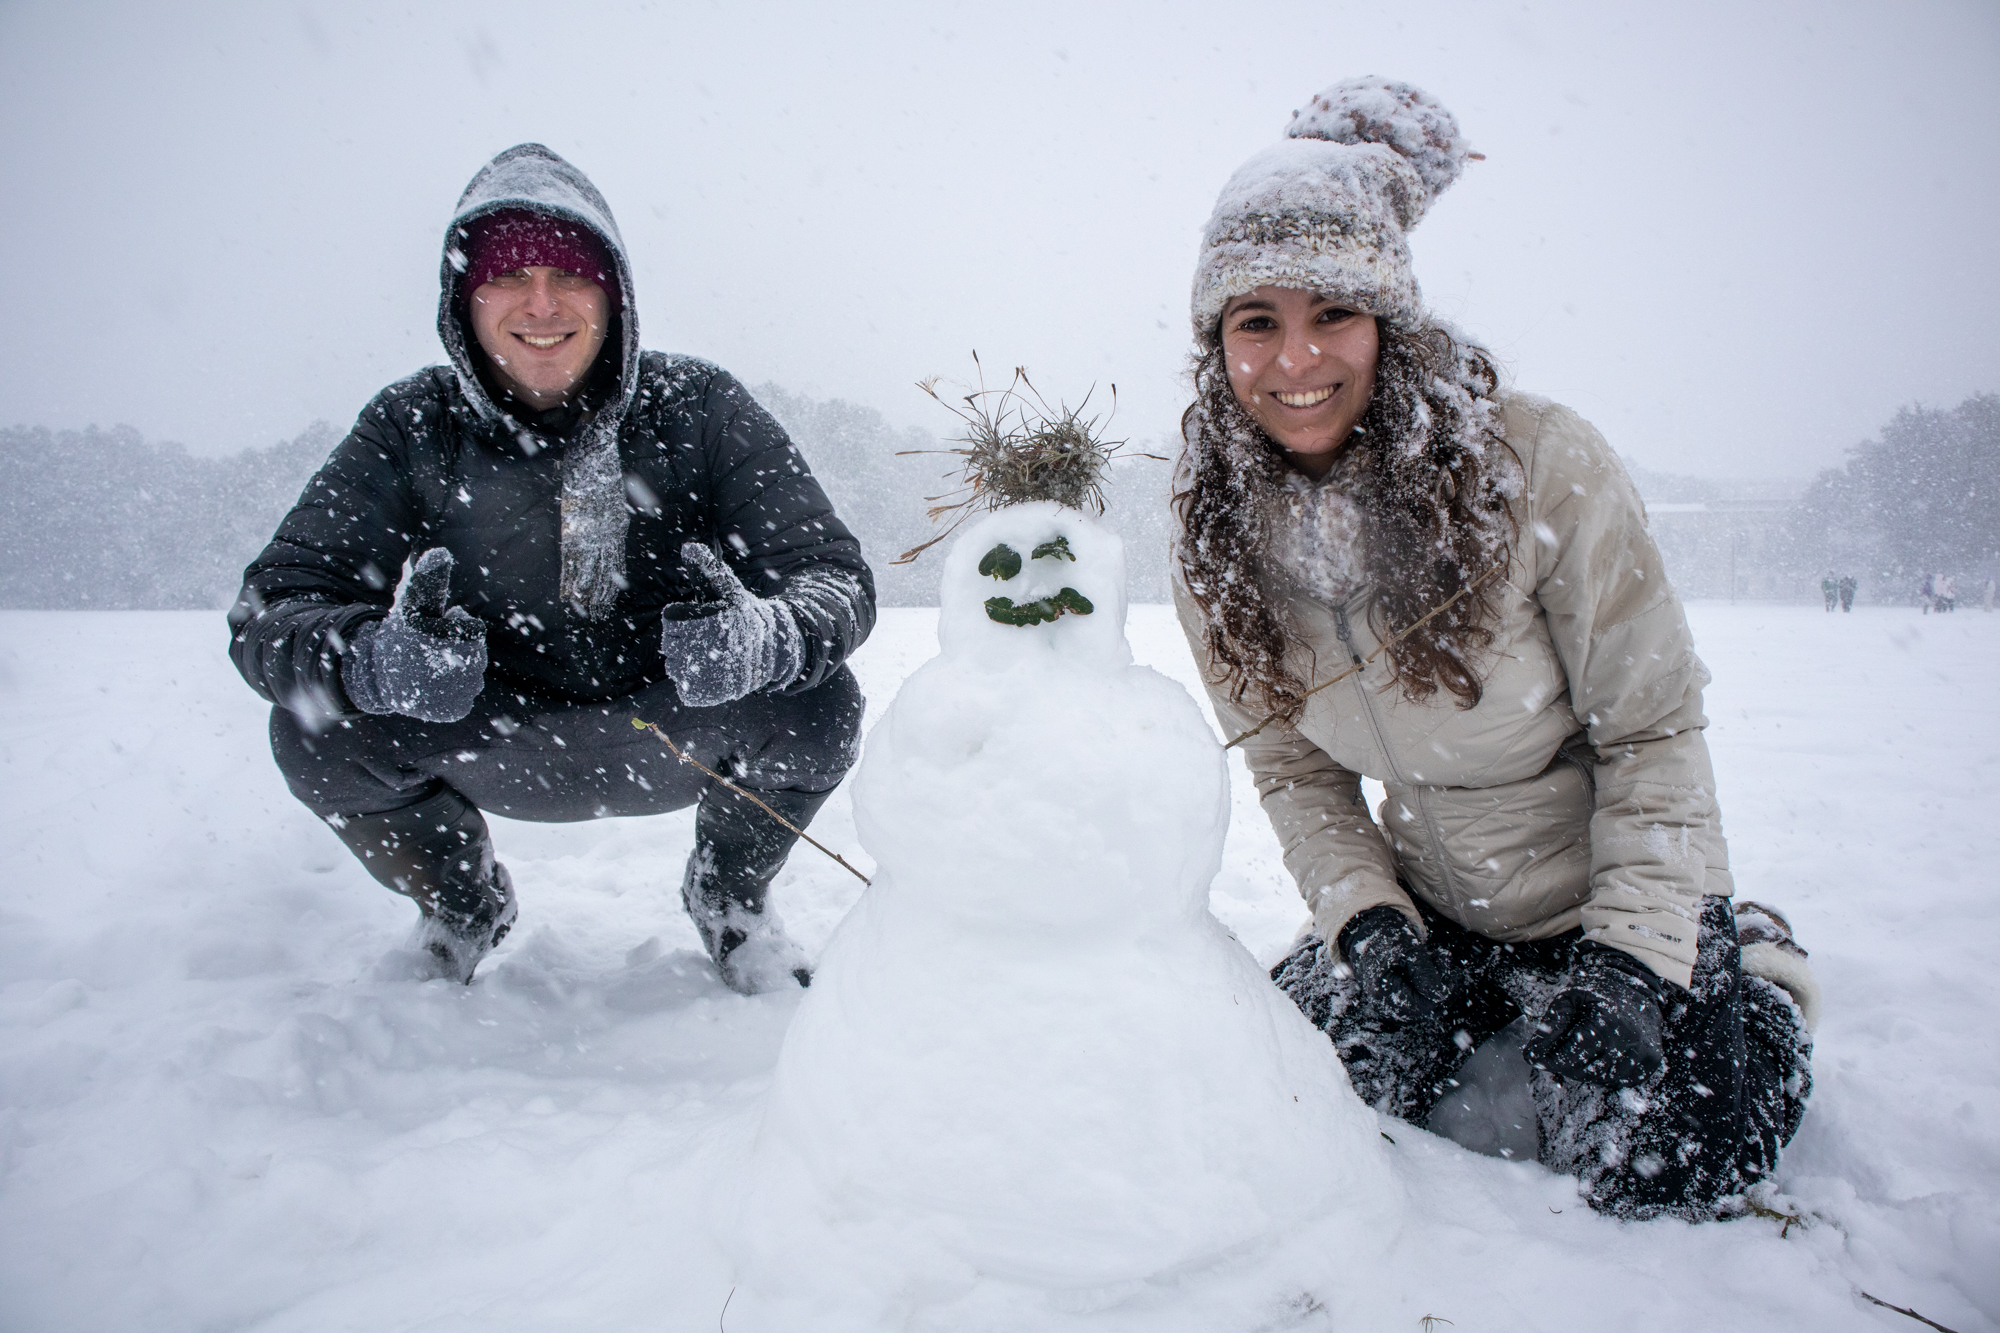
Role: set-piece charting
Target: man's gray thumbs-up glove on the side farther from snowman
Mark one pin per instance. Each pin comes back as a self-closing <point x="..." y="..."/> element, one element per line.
<point x="421" y="659"/>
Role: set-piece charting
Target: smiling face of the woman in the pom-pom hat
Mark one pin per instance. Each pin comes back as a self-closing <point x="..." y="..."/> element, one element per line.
<point x="1303" y="367"/>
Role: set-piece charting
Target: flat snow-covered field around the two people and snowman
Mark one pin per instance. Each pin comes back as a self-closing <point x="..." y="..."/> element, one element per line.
<point x="221" y="1108"/>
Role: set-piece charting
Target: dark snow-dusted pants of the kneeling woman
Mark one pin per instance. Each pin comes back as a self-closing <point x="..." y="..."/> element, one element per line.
<point x="1701" y="1132"/>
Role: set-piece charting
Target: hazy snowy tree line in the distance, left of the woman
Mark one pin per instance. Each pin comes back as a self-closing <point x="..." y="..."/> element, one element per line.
<point x="109" y="521"/>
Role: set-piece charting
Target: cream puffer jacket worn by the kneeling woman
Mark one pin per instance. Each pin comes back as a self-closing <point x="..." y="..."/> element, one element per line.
<point x="1579" y="792"/>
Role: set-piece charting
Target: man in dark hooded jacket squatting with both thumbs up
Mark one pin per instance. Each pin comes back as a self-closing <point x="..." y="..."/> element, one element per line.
<point x="595" y="533"/>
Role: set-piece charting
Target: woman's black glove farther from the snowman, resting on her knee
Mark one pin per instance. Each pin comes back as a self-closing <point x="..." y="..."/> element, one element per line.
<point x="1605" y="1024"/>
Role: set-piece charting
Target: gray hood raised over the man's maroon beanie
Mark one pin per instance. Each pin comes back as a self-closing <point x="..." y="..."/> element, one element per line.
<point x="535" y="179"/>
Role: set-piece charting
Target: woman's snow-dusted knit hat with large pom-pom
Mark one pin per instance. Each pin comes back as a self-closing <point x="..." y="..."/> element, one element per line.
<point x="1327" y="209"/>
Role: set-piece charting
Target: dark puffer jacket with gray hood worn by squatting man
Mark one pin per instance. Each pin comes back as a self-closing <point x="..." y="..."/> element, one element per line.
<point x="567" y="525"/>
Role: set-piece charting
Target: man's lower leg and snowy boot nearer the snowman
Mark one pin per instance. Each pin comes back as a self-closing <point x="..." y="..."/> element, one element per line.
<point x="739" y="850"/>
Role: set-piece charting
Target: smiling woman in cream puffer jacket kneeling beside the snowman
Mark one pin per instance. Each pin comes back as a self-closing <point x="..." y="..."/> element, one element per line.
<point x="1393" y="567"/>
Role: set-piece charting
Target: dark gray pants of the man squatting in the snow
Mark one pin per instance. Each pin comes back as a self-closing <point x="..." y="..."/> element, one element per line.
<point x="407" y="796"/>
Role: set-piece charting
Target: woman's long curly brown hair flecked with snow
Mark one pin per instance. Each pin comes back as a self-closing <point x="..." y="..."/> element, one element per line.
<point x="1437" y="477"/>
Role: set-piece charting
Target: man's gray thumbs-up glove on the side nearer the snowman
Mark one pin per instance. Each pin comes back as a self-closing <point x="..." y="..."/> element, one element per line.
<point x="731" y="645"/>
